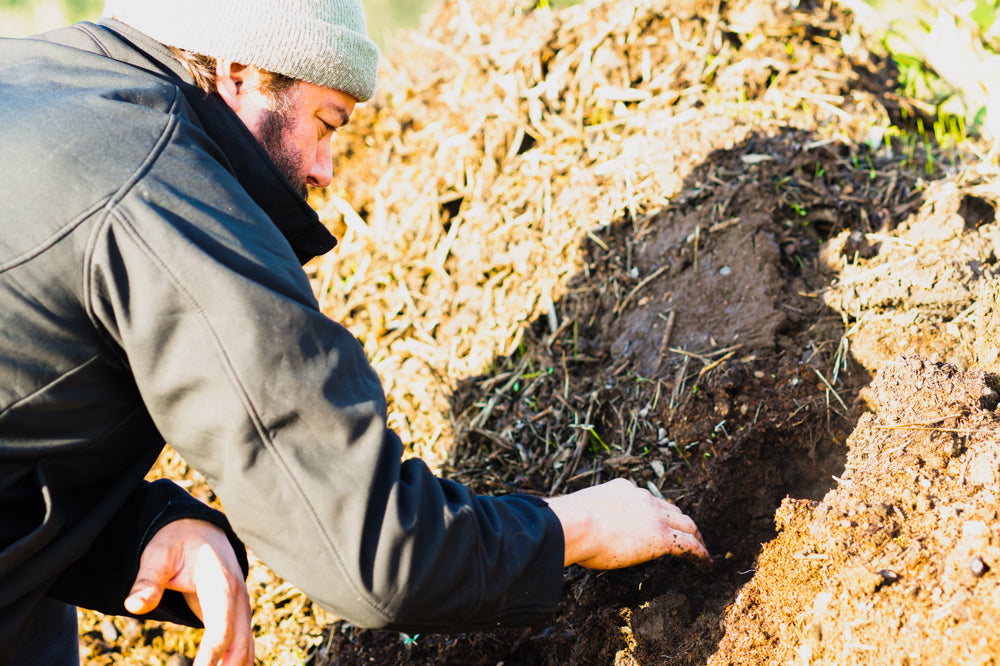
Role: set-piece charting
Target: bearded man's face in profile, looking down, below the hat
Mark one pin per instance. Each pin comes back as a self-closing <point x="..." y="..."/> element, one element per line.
<point x="296" y="127"/>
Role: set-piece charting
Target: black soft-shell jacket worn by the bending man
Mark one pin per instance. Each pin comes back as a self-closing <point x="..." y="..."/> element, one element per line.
<point x="150" y="290"/>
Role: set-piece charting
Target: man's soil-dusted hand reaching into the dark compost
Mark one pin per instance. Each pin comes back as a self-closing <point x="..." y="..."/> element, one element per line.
<point x="617" y="524"/>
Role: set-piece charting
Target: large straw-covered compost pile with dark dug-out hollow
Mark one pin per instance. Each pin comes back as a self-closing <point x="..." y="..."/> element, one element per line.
<point x="700" y="245"/>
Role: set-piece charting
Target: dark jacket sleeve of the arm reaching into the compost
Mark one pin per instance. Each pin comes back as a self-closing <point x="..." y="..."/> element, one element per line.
<point x="277" y="406"/>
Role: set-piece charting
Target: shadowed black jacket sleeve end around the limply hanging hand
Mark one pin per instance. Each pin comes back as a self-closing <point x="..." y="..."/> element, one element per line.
<point x="102" y="579"/>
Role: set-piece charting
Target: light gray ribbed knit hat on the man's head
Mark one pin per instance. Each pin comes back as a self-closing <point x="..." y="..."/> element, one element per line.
<point x="321" y="41"/>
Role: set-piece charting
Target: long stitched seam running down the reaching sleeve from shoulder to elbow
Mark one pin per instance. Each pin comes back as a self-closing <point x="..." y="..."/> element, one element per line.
<point x="253" y="416"/>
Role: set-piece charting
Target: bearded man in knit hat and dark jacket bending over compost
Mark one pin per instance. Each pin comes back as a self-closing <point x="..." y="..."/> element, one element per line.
<point x="151" y="236"/>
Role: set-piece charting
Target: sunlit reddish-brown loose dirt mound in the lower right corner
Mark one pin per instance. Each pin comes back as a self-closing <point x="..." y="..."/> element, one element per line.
<point x="894" y="565"/>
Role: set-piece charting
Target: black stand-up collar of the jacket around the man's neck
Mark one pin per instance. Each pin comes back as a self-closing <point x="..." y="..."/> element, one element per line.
<point x="248" y="161"/>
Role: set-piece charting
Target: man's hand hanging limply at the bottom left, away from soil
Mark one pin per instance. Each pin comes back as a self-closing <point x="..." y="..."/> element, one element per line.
<point x="195" y="557"/>
